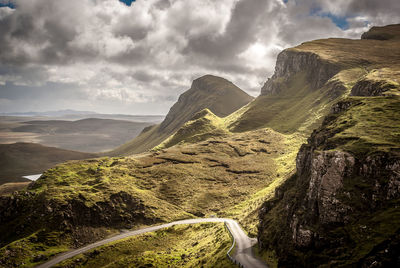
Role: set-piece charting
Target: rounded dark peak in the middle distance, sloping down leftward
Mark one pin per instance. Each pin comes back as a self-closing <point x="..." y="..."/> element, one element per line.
<point x="215" y="93"/>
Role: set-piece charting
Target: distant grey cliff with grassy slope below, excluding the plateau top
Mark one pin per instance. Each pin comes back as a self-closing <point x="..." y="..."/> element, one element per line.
<point x="299" y="93"/>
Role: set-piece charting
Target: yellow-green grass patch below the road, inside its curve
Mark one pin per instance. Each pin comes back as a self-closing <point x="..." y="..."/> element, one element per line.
<point x="179" y="246"/>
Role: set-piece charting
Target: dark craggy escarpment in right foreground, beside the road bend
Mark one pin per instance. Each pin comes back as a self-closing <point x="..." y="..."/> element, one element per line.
<point x="341" y="208"/>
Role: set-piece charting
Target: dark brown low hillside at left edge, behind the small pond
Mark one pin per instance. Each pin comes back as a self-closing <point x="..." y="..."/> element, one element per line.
<point x="20" y="159"/>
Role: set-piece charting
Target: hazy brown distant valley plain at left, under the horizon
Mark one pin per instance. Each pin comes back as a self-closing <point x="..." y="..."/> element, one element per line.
<point x="30" y="145"/>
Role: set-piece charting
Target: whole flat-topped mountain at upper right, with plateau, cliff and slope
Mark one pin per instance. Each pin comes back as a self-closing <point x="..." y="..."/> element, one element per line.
<point x="311" y="77"/>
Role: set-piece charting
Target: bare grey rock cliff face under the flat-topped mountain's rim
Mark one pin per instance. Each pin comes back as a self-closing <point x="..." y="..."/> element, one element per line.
<point x="290" y="62"/>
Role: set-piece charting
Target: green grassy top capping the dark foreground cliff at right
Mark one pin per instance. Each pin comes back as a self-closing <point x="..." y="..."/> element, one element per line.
<point x="369" y="125"/>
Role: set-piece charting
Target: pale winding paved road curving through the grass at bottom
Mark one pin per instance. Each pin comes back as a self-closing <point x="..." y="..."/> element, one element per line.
<point x="243" y="255"/>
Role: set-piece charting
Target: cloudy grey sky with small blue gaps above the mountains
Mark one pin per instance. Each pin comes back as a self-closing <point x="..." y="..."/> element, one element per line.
<point x="137" y="57"/>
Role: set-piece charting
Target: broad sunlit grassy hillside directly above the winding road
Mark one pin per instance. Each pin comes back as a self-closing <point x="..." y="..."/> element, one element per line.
<point x="82" y="201"/>
